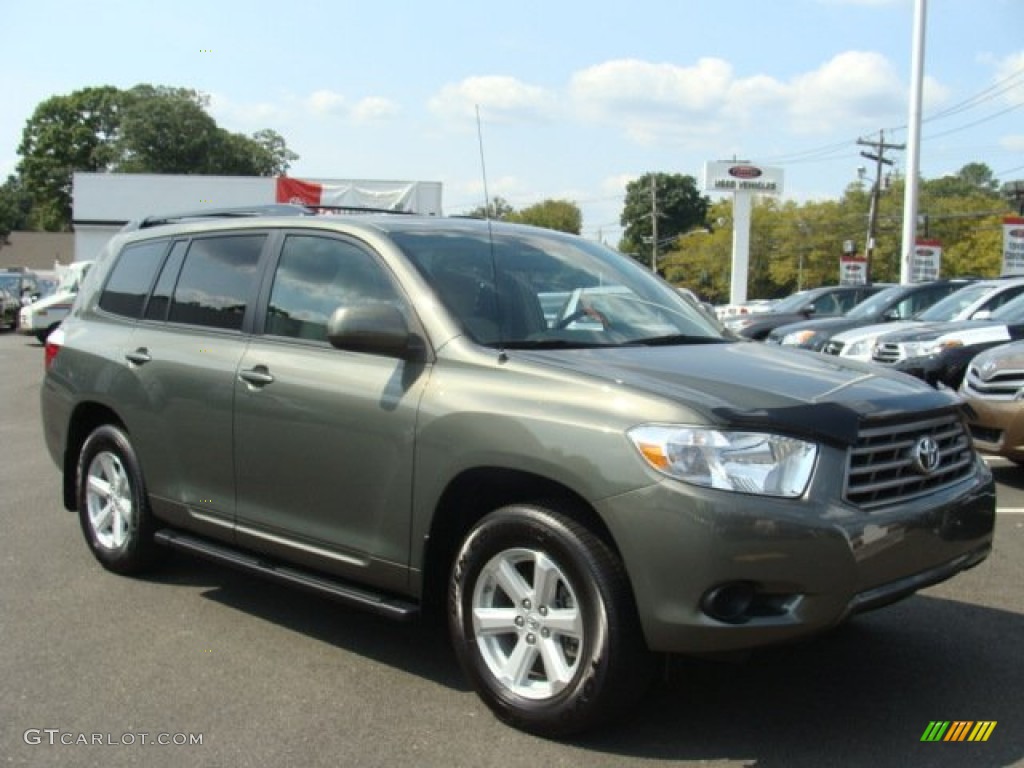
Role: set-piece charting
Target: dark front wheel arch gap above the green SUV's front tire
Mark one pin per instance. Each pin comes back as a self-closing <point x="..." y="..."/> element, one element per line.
<point x="476" y="493"/>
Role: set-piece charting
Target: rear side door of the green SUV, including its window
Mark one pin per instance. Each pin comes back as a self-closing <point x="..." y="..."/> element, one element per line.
<point x="185" y="354"/>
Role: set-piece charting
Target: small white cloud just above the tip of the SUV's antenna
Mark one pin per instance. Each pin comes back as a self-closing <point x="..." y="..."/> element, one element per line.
<point x="500" y="99"/>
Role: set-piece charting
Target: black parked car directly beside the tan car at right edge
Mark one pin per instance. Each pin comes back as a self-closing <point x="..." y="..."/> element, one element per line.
<point x="941" y="353"/>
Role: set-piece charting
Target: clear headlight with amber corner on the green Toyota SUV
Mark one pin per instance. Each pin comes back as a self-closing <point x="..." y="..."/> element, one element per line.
<point x="746" y="462"/>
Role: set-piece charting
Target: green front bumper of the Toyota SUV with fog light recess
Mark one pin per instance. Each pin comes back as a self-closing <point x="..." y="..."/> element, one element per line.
<point x="804" y="566"/>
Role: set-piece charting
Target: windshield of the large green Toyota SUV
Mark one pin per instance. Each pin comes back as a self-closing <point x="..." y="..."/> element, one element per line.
<point x="535" y="288"/>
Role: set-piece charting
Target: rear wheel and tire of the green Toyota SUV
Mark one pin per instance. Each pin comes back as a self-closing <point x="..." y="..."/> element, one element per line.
<point x="113" y="507"/>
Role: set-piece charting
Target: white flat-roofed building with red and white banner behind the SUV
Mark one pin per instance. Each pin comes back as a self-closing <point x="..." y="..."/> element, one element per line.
<point x="103" y="203"/>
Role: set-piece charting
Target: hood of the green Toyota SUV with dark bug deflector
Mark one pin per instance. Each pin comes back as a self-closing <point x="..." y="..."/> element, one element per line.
<point x="756" y="387"/>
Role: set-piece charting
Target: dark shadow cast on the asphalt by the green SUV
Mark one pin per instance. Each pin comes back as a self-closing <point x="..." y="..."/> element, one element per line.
<point x="862" y="696"/>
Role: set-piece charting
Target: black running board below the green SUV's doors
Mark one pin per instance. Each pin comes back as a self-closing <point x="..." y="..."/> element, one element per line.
<point x="386" y="606"/>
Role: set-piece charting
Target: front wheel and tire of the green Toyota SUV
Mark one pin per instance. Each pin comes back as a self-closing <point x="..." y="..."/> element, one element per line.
<point x="543" y="623"/>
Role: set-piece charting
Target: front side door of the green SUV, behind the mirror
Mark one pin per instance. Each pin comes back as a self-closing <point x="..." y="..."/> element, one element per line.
<point x="324" y="438"/>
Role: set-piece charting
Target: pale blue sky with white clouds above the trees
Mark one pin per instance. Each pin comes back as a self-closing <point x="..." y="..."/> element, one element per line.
<point x="558" y="100"/>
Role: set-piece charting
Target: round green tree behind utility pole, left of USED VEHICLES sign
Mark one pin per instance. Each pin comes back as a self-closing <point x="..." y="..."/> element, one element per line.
<point x="680" y="208"/>
